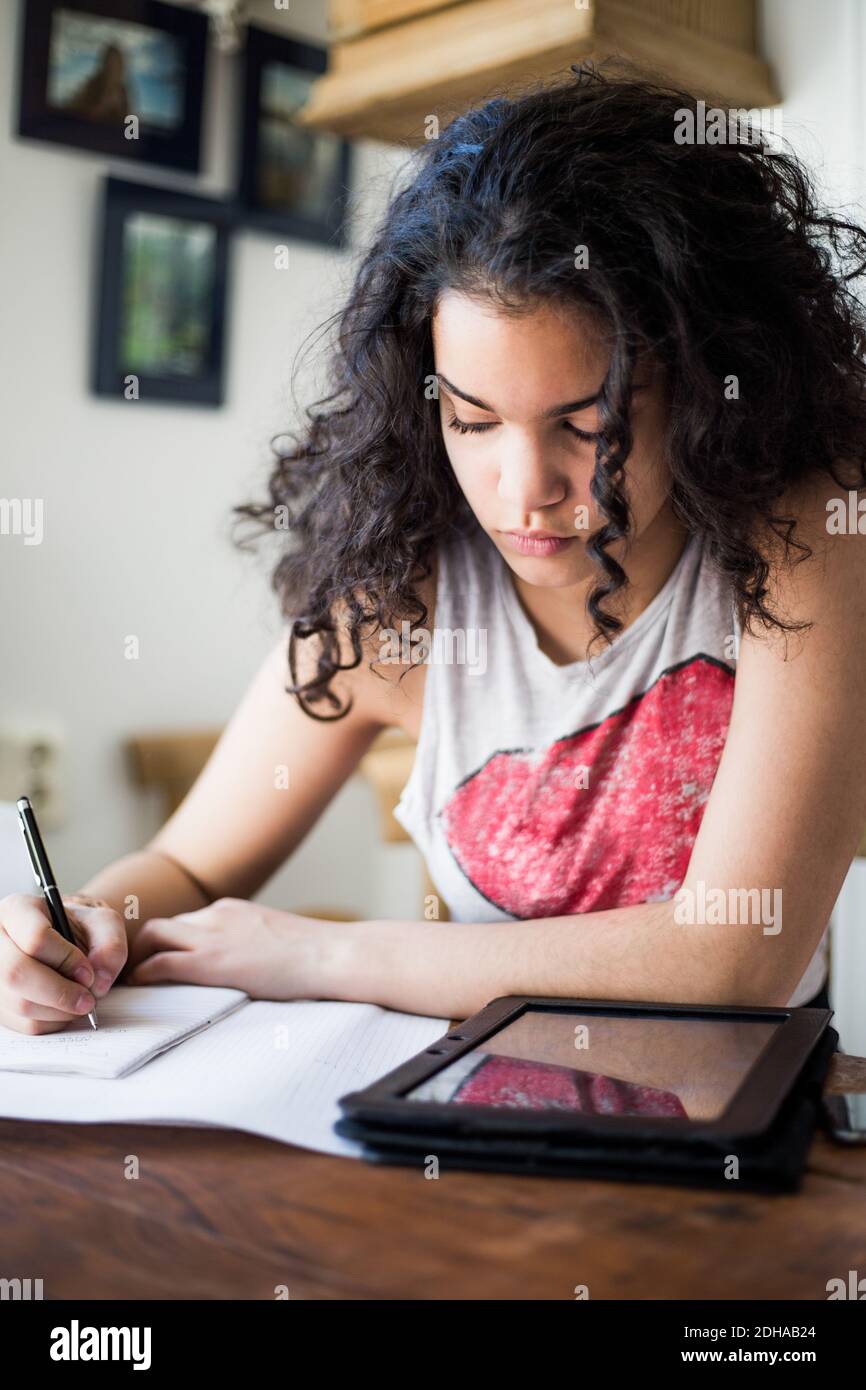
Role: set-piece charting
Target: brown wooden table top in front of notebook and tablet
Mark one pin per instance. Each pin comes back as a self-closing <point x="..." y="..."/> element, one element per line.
<point x="220" y="1214"/>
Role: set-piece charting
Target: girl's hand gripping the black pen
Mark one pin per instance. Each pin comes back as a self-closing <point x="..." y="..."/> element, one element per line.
<point x="45" y="982"/>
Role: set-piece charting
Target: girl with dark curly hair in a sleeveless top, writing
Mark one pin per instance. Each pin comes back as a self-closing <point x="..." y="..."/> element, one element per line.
<point x="597" y="420"/>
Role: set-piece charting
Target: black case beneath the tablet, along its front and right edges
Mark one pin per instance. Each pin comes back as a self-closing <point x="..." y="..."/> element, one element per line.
<point x="772" y="1161"/>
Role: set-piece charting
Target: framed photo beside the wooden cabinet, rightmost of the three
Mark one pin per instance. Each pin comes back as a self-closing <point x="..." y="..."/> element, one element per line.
<point x="293" y="181"/>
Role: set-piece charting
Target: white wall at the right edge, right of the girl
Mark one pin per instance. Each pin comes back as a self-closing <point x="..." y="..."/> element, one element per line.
<point x="819" y="55"/>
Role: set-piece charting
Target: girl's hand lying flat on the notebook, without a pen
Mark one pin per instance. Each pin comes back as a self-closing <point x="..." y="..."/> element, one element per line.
<point x="237" y="945"/>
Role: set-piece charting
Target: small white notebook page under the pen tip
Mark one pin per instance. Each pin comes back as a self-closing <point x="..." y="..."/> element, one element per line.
<point x="136" y="1025"/>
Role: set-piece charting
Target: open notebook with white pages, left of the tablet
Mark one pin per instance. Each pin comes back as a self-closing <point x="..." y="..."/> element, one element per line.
<point x="215" y="1058"/>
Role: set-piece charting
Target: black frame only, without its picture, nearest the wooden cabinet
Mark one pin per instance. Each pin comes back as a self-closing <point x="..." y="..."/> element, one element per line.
<point x="325" y="216"/>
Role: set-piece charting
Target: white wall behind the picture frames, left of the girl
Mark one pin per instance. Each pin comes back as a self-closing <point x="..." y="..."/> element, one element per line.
<point x="138" y="500"/>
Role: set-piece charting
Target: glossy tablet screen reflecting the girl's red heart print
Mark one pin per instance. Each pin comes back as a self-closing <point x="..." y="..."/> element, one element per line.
<point x="597" y="1064"/>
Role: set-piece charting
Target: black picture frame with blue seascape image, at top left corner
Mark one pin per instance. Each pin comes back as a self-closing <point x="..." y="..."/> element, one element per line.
<point x="163" y="140"/>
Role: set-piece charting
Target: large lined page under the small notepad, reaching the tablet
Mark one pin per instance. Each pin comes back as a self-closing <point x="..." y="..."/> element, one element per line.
<point x="272" y="1068"/>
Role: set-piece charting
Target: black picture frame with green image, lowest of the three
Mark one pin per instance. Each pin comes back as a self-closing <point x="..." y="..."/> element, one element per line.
<point x="113" y="365"/>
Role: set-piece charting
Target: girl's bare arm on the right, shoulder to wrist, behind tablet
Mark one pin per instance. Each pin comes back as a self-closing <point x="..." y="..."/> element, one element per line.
<point x="786" y="815"/>
